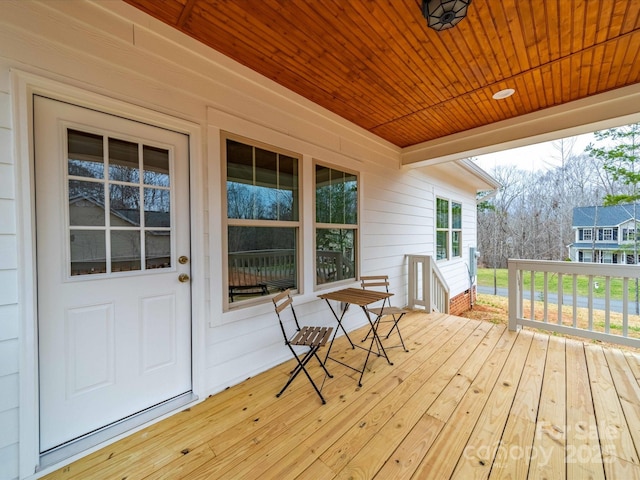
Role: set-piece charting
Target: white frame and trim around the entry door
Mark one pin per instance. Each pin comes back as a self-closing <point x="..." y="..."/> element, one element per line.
<point x="24" y="86"/>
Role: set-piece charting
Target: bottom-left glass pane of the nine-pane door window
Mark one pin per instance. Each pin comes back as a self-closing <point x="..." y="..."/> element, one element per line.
<point x="88" y="252"/>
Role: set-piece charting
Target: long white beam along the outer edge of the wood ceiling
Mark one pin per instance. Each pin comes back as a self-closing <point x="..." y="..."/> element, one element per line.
<point x="607" y="110"/>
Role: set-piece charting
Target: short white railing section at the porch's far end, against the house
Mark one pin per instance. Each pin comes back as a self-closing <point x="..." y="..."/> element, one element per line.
<point x="427" y="286"/>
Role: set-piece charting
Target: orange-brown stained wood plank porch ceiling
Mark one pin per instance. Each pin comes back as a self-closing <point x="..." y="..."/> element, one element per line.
<point x="377" y="64"/>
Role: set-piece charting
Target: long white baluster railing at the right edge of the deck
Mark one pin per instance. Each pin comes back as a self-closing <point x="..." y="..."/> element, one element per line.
<point x="529" y="280"/>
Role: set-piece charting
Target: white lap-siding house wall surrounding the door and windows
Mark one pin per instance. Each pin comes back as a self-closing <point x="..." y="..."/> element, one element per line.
<point x="85" y="46"/>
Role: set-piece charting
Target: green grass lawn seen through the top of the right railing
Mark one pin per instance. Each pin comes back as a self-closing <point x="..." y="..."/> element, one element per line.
<point x="486" y="278"/>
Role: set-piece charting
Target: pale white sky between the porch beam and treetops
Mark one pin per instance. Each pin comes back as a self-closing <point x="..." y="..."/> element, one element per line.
<point x="541" y="156"/>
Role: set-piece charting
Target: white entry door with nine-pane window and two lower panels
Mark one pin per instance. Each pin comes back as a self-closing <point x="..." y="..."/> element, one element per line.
<point x="114" y="307"/>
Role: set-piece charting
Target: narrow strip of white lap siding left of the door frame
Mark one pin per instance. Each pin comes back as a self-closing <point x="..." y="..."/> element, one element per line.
<point x="9" y="354"/>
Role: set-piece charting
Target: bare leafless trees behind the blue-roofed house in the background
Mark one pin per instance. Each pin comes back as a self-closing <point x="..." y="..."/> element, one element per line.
<point x="530" y="216"/>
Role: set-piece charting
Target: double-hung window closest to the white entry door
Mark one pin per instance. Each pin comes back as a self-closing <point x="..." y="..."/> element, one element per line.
<point x="262" y="201"/>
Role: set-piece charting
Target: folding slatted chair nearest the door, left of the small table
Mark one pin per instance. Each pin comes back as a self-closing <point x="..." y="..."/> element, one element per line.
<point x="311" y="337"/>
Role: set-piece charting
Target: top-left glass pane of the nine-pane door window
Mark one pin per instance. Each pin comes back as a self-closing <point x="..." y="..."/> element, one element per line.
<point x="85" y="154"/>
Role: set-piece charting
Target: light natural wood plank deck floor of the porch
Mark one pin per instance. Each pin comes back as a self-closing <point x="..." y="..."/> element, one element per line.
<point x="470" y="400"/>
